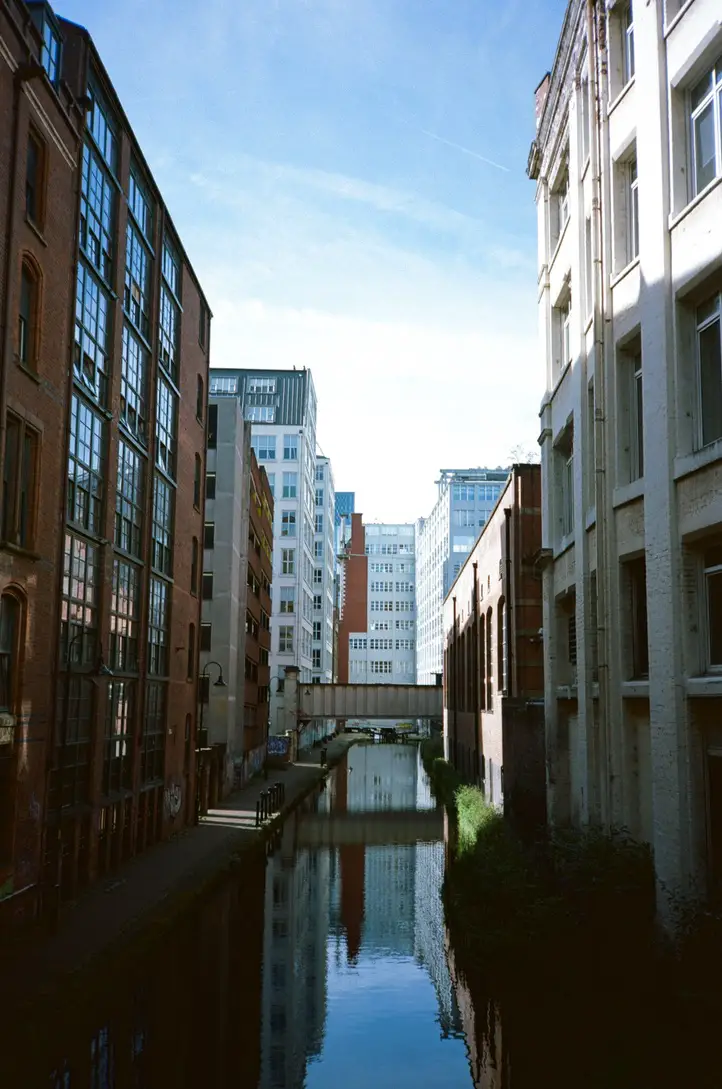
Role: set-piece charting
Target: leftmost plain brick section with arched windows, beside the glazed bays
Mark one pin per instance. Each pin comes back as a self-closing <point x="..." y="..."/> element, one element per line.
<point x="40" y="142"/>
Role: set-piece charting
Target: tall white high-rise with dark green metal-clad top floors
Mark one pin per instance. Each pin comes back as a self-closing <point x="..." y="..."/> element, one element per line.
<point x="282" y="407"/>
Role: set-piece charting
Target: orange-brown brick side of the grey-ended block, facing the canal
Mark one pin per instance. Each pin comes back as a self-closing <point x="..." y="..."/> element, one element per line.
<point x="259" y="604"/>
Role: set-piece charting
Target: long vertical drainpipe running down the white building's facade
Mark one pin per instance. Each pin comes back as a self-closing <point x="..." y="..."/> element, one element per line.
<point x="597" y="60"/>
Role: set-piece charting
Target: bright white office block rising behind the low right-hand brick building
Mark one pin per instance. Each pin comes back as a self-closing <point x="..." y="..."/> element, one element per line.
<point x="466" y="500"/>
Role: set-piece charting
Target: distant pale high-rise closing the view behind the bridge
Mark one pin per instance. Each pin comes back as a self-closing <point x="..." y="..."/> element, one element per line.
<point x="386" y="652"/>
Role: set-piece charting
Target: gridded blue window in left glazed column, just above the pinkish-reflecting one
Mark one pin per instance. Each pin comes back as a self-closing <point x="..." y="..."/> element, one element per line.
<point x="85" y="469"/>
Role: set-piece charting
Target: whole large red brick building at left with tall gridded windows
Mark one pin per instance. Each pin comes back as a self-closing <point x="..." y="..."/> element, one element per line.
<point x="106" y="351"/>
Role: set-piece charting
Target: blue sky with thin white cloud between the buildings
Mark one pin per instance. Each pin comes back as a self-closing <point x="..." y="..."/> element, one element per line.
<point x="349" y="181"/>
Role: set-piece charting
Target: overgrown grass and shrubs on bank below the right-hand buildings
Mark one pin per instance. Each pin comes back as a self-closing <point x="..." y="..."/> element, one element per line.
<point x="570" y="906"/>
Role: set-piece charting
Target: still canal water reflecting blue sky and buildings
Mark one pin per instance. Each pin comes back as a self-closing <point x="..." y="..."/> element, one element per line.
<point x="327" y="965"/>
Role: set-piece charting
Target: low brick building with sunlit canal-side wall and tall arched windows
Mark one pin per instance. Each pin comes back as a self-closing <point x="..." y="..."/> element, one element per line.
<point x="494" y="665"/>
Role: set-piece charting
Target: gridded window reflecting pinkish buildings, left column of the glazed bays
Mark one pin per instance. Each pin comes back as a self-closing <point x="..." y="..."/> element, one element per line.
<point x="79" y="608"/>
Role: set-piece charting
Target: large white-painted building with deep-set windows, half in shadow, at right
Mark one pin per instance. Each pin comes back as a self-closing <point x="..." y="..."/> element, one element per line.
<point x="628" y="163"/>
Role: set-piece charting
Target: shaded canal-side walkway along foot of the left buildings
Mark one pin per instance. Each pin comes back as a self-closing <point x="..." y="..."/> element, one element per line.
<point x="150" y="892"/>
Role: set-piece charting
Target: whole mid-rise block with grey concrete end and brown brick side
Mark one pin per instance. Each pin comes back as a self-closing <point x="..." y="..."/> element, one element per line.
<point x="237" y="603"/>
